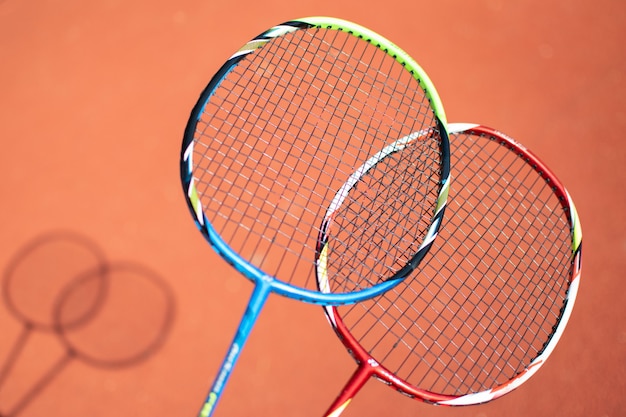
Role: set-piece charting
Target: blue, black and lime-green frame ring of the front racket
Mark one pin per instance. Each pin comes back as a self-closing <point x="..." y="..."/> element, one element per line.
<point x="250" y="271"/>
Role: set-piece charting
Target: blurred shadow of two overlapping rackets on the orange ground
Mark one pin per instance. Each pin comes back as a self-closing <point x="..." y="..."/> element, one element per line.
<point x="106" y="314"/>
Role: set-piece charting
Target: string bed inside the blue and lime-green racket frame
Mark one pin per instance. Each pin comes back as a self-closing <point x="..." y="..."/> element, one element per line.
<point x="305" y="159"/>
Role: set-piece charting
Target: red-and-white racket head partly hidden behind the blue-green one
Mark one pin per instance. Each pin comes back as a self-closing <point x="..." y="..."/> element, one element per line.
<point x="457" y="331"/>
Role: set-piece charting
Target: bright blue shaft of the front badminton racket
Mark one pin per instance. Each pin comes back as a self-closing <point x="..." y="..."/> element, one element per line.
<point x="261" y="291"/>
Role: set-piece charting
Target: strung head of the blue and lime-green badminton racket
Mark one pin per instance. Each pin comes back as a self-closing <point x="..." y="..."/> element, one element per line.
<point x="261" y="162"/>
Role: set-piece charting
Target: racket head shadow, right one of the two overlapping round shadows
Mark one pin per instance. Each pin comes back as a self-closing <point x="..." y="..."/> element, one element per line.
<point x="132" y="324"/>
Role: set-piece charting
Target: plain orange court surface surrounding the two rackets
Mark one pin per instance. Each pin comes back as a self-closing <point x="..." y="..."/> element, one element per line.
<point x="94" y="97"/>
